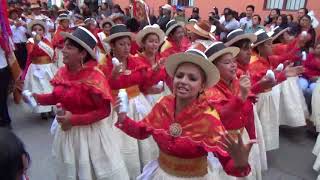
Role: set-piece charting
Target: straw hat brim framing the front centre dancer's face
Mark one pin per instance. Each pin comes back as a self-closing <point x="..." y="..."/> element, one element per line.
<point x="211" y="71"/>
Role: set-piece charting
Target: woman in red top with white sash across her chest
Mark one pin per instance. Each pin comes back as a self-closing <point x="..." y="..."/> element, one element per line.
<point x="40" y="69"/>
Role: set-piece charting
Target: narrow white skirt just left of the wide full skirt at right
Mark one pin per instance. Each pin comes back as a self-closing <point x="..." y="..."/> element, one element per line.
<point x="268" y="111"/>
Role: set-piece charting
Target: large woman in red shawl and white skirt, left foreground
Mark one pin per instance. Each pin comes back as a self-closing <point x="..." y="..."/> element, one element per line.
<point x="84" y="146"/>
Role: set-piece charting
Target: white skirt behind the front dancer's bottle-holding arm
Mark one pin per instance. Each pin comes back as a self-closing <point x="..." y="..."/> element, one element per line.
<point x="136" y="153"/>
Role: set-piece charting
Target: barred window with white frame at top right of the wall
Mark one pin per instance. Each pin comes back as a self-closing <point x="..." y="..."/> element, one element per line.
<point x="285" y="4"/>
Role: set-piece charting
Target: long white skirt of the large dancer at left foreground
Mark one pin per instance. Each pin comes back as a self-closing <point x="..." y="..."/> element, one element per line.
<point x="88" y="153"/>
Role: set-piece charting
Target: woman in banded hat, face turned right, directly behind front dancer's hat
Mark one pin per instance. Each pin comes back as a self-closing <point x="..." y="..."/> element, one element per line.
<point x="175" y="43"/>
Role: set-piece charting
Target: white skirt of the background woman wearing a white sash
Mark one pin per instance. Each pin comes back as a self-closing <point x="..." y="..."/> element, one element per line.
<point x="37" y="80"/>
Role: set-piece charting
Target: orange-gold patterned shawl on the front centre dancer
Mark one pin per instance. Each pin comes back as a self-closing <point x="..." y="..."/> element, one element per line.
<point x="199" y="122"/>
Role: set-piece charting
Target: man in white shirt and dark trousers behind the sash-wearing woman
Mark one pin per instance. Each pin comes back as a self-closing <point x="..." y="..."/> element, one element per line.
<point x="19" y="38"/>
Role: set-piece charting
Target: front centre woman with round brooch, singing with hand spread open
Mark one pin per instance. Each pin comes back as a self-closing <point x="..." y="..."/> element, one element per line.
<point x="186" y="127"/>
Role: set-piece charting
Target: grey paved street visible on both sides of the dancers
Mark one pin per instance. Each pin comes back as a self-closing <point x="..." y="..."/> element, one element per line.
<point x="293" y="161"/>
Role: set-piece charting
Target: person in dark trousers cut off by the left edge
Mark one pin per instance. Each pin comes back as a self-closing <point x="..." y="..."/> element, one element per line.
<point x="5" y="120"/>
